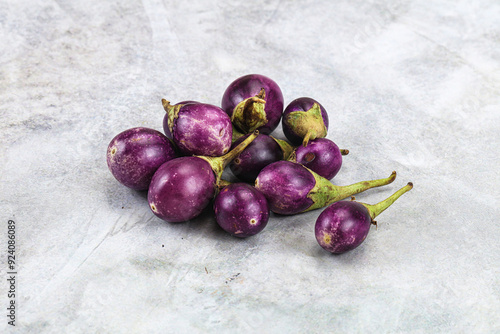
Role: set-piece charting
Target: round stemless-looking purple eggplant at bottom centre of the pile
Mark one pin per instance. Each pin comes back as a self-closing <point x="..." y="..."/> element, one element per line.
<point x="241" y="210"/>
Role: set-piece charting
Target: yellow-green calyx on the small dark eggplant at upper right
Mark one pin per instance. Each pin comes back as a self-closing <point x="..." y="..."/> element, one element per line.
<point x="308" y="124"/>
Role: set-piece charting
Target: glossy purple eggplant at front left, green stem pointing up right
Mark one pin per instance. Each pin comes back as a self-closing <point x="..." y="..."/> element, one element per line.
<point x="183" y="187"/>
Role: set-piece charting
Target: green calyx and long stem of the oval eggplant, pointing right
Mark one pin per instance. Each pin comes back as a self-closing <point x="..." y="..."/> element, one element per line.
<point x="325" y="193"/>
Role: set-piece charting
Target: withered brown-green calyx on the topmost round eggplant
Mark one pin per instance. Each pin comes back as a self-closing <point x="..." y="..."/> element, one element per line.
<point x="249" y="114"/>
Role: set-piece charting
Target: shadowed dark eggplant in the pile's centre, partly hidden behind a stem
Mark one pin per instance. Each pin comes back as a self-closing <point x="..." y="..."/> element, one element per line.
<point x="260" y="153"/>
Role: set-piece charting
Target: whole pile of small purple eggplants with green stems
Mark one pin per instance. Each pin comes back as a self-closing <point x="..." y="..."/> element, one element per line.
<point x="182" y="167"/>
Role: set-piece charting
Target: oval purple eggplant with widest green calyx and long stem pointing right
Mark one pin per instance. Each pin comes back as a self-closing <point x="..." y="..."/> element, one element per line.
<point x="292" y="188"/>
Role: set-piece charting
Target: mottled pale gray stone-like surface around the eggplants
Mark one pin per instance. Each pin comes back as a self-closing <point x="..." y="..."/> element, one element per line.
<point x="411" y="86"/>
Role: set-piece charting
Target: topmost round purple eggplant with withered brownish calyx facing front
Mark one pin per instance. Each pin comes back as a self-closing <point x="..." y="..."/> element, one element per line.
<point x="253" y="102"/>
